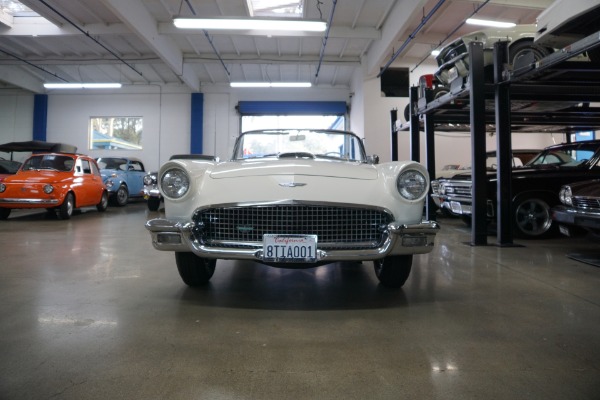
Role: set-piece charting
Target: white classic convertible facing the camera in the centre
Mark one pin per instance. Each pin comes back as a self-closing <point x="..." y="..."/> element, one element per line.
<point x="294" y="199"/>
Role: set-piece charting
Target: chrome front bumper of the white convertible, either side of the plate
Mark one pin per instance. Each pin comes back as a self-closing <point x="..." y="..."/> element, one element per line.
<point x="169" y="235"/>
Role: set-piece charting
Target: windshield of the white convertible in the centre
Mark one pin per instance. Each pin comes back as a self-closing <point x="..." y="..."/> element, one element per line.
<point x="334" y="145"/>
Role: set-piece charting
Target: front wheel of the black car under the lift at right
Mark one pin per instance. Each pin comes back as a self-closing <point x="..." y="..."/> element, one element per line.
<point x="533" y="219"/>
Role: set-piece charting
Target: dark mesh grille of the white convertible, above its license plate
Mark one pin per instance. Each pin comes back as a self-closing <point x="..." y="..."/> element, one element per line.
<point x="335" y="227"/>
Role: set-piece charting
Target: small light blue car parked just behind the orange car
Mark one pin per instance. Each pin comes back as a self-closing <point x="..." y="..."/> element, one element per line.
<point x="123" y="177"/>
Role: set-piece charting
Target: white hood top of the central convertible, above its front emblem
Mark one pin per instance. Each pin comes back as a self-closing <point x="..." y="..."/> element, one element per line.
<point x="299" y="167"/>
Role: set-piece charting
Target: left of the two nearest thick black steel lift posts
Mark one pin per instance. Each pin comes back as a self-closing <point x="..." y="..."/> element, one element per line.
<point x="478" y="146"/>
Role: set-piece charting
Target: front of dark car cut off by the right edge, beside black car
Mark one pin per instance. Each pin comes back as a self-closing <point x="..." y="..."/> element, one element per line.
<point x="580" y="208"/>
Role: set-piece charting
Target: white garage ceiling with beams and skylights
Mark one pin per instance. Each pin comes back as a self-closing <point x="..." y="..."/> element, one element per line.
<point x="134" y="42"/>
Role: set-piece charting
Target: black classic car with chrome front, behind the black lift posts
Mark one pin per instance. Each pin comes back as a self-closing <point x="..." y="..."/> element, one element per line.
<point x="535" y="187"/>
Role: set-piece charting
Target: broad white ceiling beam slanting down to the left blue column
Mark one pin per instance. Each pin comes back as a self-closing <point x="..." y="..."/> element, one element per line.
<point x="140" y="21"/>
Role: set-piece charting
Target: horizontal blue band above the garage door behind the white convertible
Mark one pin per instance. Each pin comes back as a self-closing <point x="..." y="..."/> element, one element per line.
<point x="292" y="107"/>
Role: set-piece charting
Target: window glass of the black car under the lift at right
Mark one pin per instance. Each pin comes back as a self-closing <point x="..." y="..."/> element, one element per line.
<point x="568" y="155"/>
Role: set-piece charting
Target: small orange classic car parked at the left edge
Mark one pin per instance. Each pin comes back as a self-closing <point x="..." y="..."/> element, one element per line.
<point x="55" y="181"/>
